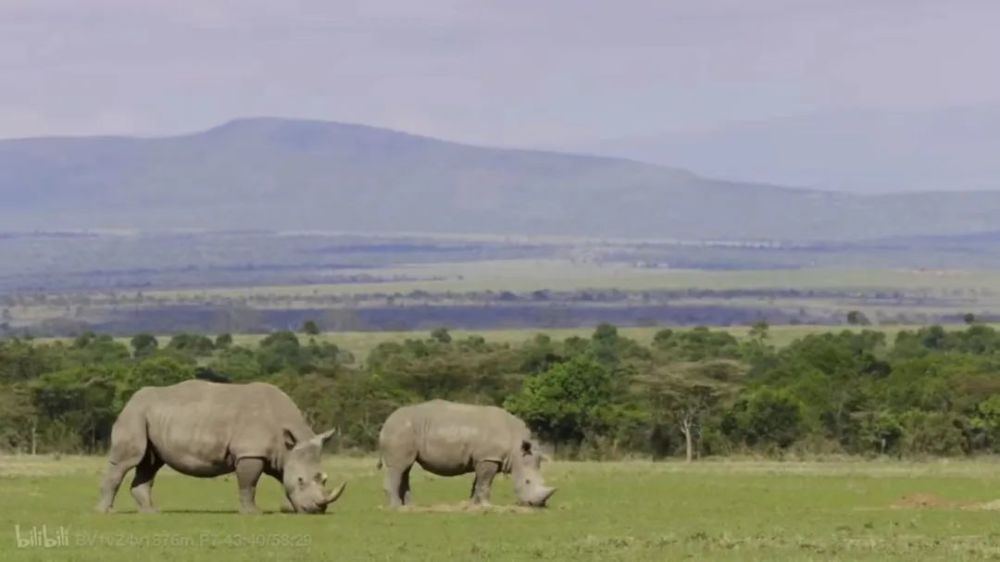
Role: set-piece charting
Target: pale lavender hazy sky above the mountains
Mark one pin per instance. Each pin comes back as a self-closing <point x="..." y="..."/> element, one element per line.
<point x="507" y="72"/>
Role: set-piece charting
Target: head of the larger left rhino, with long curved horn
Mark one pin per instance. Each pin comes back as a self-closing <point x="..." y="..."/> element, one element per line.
<point x="303" y="477"/>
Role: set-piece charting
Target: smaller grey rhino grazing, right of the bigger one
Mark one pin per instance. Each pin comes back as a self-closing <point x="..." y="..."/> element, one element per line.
<point x="450" y="439"/>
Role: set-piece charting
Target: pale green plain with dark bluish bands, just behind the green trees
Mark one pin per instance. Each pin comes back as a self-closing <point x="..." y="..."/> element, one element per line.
<point x="502" y="293"/>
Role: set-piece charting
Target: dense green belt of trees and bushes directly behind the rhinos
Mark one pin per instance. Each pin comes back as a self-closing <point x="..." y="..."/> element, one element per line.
<point x="693" y="392"/>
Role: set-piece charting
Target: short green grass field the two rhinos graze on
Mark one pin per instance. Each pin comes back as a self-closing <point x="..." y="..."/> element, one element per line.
<point x="603" y="511"/>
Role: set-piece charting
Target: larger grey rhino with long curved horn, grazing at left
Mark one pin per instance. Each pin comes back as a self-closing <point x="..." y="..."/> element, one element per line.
<point x="207" y="429"/>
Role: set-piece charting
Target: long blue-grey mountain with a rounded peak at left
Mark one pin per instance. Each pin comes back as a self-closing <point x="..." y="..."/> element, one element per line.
<point x="286" y="174"/>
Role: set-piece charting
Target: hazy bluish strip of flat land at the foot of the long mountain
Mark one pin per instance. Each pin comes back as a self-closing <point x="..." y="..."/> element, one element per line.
<point x="60" y="262"/>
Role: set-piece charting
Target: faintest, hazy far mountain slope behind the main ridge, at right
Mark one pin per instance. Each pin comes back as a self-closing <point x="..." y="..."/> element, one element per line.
<point x="861" y="151"/>
